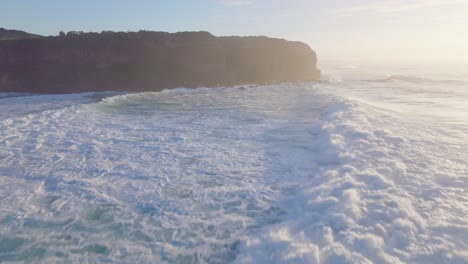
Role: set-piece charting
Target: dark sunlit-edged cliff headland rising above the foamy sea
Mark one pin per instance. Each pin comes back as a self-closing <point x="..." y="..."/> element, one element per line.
<point x="149" y="61"/>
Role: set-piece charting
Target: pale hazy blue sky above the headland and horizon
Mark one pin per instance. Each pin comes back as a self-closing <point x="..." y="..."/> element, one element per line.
<point x="414" y="30"/>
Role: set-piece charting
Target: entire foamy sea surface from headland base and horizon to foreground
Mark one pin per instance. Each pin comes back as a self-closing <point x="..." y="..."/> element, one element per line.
<point x="368" y="165"/>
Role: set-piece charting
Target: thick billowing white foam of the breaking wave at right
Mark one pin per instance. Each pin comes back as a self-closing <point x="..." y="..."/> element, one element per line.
<point x="377" y="198"/>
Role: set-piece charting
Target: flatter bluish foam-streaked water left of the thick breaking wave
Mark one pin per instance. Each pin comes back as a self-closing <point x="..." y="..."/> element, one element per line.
<point x="181" y="175"/>
